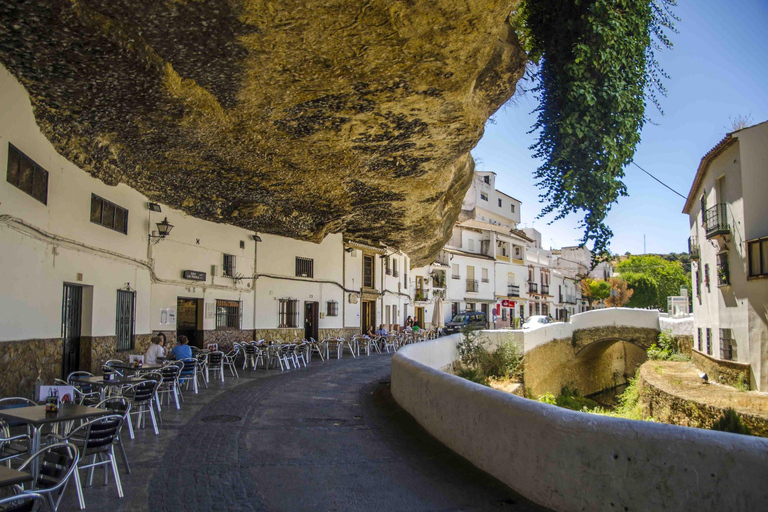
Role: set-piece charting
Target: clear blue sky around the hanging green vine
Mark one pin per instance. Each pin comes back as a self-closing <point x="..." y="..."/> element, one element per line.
<point x="718" y="70"/>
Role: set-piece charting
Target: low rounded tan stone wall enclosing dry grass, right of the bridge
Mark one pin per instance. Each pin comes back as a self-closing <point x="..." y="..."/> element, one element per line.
<point x="663" y="398"/>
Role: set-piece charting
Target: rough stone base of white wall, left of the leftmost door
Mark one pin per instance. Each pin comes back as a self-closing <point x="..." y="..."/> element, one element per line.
<point x="23" y="362"/>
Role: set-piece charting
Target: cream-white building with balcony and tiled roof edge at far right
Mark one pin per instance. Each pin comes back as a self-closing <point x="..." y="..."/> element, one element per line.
<point x="728" y="215"/>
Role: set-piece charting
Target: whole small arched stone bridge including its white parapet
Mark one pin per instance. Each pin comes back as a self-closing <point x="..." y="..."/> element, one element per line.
<point x="595" y="351"/>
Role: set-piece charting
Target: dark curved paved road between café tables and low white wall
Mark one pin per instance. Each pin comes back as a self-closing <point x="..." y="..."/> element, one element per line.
<point x="325" y="438"/>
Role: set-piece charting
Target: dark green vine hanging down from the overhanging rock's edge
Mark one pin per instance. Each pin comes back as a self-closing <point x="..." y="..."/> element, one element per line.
<point x="597" y="70"/>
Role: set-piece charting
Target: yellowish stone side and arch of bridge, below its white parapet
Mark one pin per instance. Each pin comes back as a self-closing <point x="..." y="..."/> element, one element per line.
<point x="599" y="366"/>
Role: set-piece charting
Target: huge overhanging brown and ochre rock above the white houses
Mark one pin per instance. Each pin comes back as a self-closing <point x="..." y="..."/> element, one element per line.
<point x="294" y="117"/>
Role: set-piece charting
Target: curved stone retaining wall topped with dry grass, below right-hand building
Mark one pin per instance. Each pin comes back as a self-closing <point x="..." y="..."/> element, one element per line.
<point x="665" y="405"/>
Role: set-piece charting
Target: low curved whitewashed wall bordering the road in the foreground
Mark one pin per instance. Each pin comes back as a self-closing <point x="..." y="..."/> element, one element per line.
<point x="572" y="461"/>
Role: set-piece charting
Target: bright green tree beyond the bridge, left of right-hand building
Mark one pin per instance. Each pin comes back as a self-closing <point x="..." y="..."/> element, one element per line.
<point x="668" y="277"/>
